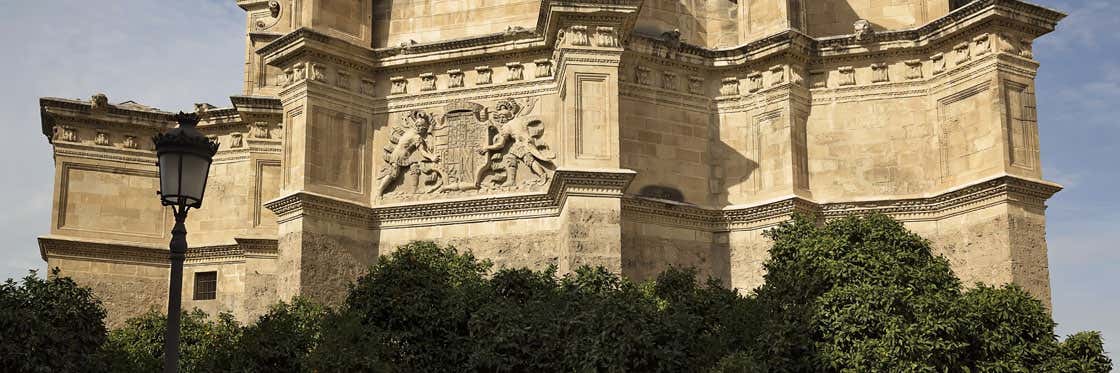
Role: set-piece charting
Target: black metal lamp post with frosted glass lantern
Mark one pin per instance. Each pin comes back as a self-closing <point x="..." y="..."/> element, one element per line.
<point x="184" y="160"/>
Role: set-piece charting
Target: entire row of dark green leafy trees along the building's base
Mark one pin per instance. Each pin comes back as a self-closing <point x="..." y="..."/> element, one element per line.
<point x="853" y="295"/>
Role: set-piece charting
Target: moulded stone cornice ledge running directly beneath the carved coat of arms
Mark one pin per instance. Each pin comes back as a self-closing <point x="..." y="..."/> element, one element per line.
<point x="566" y="182"/>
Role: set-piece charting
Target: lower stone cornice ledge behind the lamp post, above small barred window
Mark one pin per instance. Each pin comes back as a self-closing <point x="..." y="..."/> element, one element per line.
<point x="71" y="248"/>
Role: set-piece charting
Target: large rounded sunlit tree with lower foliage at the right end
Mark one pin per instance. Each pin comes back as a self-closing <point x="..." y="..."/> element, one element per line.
<point x="866" y="295"/>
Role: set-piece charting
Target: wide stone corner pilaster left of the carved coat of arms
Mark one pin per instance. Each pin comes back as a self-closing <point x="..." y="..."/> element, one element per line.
<point x="328" y="182"/>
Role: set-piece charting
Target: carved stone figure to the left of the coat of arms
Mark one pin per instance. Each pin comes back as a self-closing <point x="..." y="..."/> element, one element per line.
<point x="409" y="151"/>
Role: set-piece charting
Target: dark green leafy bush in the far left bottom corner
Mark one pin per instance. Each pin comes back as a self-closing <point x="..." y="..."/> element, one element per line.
<point x="50" y="325"/>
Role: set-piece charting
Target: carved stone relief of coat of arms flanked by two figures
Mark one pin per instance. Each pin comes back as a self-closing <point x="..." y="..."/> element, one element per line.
<point x="470" y="148"/>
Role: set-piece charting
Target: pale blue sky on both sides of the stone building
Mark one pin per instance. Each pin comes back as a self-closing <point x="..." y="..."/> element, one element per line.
<point x="172" y="54"/>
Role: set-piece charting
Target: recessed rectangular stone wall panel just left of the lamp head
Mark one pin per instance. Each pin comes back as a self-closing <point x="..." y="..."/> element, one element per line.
<point x="110" y="200"/>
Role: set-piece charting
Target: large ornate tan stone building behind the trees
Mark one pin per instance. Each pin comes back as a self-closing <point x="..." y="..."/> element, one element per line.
<point x="629" y="134"/>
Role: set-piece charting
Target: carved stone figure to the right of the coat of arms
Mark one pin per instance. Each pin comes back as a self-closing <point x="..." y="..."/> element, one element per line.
<point x="520" y="134"/>
